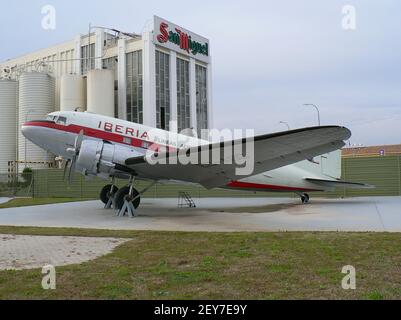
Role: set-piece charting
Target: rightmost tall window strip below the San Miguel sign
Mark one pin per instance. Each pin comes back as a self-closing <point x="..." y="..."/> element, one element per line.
<point x="201" y="98"/>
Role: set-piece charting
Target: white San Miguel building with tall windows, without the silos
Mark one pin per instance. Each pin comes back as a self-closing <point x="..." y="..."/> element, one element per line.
<point x="157" y="83"/>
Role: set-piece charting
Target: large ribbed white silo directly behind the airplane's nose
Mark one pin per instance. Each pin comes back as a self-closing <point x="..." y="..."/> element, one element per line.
<point x="36" y="99"/>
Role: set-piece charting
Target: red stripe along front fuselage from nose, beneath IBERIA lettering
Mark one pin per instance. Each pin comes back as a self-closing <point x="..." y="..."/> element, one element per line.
<point x="99" y="134"/>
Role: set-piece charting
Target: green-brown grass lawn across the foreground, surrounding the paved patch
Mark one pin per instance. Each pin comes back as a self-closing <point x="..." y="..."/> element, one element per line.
<point x="173" y="265"/>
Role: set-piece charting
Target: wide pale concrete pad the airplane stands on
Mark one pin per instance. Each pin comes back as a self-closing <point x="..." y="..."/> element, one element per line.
<point x="221" y="214"/>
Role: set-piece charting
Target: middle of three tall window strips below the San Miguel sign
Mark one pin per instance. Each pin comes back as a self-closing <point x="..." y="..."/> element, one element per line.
<point x="183" y="97"/>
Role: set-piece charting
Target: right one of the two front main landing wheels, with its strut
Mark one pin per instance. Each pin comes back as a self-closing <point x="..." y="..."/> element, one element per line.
<point x="127" y="200"/>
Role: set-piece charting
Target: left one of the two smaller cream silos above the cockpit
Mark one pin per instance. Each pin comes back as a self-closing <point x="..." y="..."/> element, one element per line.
<point x="72" y="93"/>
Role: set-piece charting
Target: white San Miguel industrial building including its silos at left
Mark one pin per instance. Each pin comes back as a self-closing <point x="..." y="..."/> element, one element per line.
<point x="161" y="78"/>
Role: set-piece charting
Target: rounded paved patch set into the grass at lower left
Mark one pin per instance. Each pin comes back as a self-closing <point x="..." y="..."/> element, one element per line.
<point x="29" y="252"/>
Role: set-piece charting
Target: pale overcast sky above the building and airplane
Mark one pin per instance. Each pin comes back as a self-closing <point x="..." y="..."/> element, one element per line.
<point x="269" y="57"/>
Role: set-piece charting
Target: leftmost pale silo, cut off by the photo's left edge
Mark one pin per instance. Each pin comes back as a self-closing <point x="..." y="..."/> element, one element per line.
<point x="8" y="128"/>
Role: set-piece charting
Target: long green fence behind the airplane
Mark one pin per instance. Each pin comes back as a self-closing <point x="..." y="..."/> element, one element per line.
<point x="383" y="172"/>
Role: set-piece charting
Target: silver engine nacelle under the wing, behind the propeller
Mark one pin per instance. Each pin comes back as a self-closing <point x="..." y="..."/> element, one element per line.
<point x="99" y="158"/>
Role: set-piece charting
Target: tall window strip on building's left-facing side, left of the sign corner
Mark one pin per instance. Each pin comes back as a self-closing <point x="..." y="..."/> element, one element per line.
<point x="134" y="87"/>
